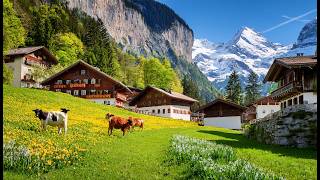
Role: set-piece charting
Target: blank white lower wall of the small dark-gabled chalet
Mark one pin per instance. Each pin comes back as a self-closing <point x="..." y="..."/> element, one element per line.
<point x="229" y="122"/>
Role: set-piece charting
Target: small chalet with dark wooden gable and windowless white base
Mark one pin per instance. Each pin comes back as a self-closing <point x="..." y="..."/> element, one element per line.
<point x="222" y="113"/>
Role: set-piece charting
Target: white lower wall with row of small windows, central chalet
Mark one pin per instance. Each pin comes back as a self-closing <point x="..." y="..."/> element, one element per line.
<point x="166" y="114"/>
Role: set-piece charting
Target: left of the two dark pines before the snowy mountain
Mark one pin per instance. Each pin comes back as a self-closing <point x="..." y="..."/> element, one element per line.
<point x="233" y="88"/>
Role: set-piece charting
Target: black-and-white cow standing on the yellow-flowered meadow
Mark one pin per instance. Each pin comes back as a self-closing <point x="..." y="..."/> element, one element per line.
<point x="53" y="118"/>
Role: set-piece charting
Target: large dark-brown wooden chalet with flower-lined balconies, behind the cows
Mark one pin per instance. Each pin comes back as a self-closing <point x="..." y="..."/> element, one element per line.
<point x="85" y="81"/>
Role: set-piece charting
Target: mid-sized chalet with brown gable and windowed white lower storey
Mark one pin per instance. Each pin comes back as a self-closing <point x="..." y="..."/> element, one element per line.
<point x="163" y="103"/>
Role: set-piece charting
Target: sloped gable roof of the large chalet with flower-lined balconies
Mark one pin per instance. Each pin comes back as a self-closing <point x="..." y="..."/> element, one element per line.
<point x="45" y="82"/>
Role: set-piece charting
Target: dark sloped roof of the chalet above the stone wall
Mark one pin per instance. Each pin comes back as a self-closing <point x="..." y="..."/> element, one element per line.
<point x="289" y="63"/>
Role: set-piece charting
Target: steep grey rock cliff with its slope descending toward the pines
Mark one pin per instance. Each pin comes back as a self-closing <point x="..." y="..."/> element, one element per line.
<point x="147" y="27"/>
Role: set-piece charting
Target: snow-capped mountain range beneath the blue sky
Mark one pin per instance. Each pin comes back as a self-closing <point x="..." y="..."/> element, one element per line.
<point x="247" y="51"/>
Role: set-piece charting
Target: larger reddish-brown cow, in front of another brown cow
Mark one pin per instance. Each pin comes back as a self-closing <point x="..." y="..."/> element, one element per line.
<point x="118" y="123"/>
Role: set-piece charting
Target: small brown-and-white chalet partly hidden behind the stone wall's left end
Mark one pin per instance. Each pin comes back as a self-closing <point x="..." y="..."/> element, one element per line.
<point x="260" y="108"/>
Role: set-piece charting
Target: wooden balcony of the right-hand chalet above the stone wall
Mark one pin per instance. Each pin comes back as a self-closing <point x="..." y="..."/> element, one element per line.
<point x="287" y="90"/>
